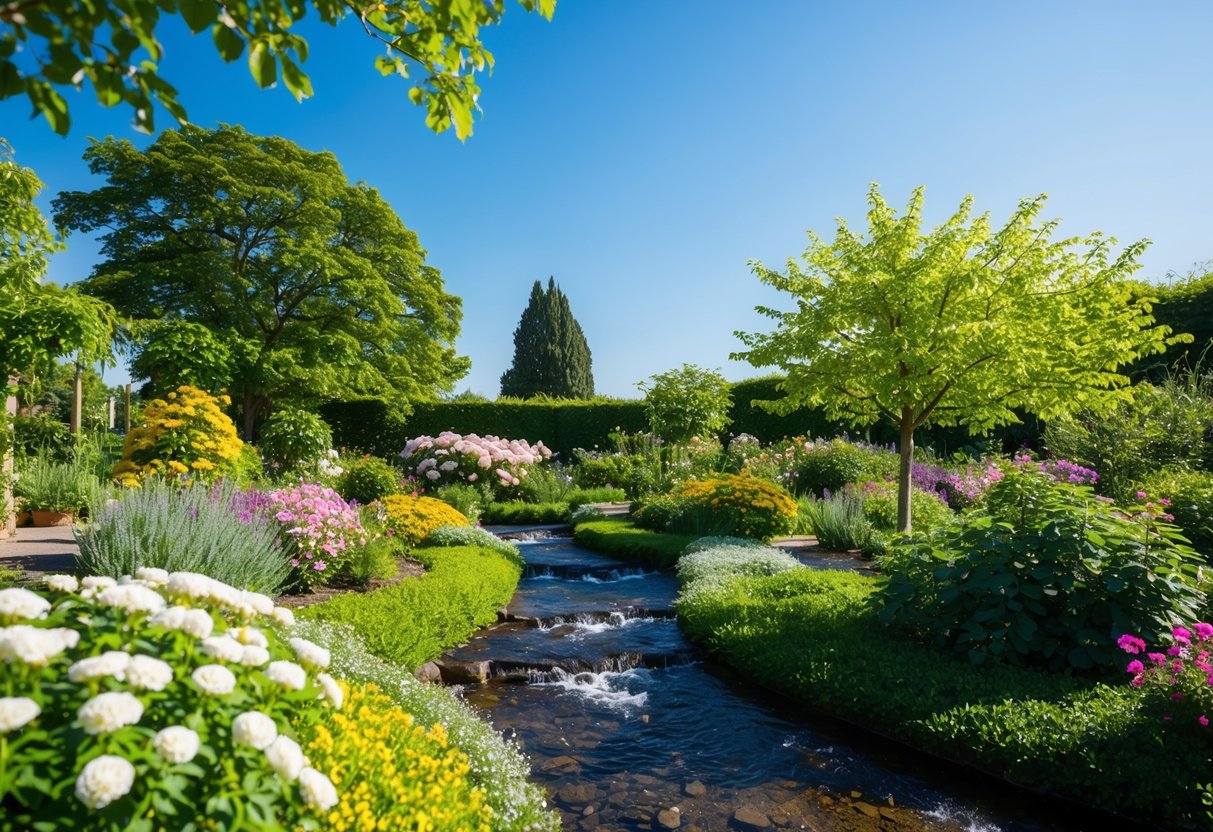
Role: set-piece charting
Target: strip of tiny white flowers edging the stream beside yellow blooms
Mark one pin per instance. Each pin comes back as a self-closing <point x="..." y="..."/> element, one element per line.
<point x="497" y="766"/>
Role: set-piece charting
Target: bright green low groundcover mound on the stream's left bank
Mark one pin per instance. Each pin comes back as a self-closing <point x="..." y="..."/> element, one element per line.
<point x="462" y="591"/>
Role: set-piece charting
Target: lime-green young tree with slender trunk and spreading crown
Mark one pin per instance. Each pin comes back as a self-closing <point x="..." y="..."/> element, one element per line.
<point x="958" y="327"/>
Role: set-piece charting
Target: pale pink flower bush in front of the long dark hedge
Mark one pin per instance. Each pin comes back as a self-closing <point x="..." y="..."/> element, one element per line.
<point x="451" y="458"/>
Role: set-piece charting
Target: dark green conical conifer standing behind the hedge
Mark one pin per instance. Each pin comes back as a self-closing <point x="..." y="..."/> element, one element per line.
<point x="551" y="355"/>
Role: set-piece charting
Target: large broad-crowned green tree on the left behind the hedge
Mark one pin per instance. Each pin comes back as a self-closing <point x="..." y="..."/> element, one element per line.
<point x="312" y="287"/>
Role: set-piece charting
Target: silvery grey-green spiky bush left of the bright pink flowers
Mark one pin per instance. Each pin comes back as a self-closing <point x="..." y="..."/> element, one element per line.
<point x="189" y="529"/>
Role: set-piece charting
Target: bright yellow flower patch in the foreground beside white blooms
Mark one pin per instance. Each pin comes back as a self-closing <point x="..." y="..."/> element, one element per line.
<point x="391" y="773"/>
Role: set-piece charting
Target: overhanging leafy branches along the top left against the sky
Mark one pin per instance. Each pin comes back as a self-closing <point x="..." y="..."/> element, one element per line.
<point x="49" y="45"/>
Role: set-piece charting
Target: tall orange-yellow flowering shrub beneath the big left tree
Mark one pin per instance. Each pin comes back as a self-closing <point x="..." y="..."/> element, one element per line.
<point x="184" y="434"/>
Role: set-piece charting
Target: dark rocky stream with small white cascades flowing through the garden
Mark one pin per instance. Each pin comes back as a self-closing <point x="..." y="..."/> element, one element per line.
<point x="630" y="730"/>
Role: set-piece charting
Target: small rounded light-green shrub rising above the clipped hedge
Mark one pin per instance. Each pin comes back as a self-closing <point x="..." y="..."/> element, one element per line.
<point x="687" y="403"/>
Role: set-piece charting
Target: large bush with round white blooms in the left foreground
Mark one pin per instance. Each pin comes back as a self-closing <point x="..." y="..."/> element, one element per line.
<point x="138" y="717"/>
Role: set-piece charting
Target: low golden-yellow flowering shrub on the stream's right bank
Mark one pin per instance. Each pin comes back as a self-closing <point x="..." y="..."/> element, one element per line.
<point x="741" y="505"/>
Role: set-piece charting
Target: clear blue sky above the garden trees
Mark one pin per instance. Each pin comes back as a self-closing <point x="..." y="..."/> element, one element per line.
<point x="643" y="152"/>
